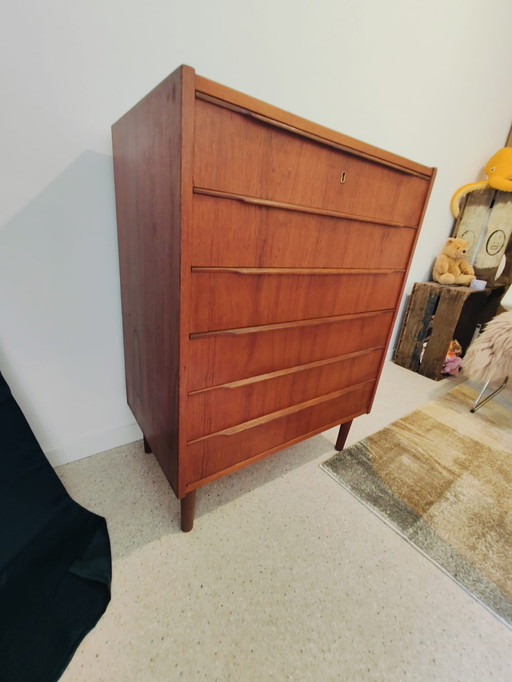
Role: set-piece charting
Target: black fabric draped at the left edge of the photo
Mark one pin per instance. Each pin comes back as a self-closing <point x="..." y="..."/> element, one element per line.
<point x="55" y="562"/>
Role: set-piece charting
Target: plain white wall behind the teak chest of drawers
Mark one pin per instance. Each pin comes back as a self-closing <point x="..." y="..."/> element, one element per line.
<point x="428" y="80"/>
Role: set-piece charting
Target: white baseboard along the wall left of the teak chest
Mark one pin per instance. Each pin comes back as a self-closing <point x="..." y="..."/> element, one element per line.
<point x="92" y="444"/>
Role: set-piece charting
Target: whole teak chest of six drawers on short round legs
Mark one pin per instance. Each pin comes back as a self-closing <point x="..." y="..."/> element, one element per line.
<point x="262" y="261"/>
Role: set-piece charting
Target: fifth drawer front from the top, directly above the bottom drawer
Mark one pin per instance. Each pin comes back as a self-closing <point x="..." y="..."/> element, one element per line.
<point x="219" y="408"/>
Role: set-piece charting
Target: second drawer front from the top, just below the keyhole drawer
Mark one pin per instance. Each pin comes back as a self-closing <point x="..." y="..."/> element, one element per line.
<point x="229" y="233"/>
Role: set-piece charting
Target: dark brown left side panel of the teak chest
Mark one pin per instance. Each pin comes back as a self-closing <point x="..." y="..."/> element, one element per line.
<point x="147" y="160"/>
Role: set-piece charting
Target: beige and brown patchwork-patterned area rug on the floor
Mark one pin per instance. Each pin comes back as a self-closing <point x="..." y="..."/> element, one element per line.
<point x="442" y="478"/>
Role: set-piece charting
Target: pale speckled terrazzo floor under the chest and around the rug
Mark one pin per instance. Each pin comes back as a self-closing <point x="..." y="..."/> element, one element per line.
<point x="285" y="576"/>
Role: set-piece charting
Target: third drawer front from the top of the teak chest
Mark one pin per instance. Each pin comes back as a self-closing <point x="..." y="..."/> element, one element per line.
<point x="227" y="299"/>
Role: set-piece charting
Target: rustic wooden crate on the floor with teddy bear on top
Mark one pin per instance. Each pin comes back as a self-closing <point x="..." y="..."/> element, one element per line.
<point x="436" y="314"/>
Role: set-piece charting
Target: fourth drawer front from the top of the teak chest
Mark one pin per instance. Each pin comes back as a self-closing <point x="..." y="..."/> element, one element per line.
<point x="220" y="358"/>
